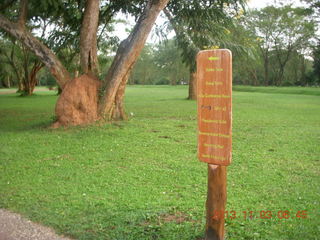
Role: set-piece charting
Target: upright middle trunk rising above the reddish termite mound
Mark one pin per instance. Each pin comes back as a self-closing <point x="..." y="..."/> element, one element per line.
<point x="88" y="38"/>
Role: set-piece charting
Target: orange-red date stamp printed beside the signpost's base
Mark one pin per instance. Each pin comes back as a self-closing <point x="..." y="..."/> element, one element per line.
<point x="263" y="214"/>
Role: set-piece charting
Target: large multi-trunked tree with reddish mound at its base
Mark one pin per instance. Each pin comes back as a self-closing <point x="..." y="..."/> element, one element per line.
<point x="79" y="109"/>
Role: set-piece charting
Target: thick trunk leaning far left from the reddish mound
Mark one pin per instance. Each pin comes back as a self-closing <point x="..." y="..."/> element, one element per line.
<point x="39" y="49"/>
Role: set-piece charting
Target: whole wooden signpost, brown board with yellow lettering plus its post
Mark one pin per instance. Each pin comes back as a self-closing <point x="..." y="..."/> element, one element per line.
<point x="214" y="89"/>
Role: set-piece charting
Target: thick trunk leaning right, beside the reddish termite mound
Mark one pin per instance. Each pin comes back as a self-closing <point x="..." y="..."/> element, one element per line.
<point x="124" y="60"/>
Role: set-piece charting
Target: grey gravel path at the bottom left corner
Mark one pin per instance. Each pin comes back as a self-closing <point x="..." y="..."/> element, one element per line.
<point x="15" y="227"/>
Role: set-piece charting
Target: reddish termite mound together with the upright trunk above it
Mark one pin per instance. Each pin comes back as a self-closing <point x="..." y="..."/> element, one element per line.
<point x="78" y="102"/>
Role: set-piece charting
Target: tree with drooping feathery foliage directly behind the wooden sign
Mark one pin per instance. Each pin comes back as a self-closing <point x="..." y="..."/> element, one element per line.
<point x="200" y="25"/>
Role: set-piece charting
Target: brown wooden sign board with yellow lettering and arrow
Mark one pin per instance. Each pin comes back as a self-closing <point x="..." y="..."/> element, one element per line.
<point x="214" y="96"/>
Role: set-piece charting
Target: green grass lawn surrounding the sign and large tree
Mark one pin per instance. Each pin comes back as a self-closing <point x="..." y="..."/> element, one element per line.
<point x="141" y="179"/>
